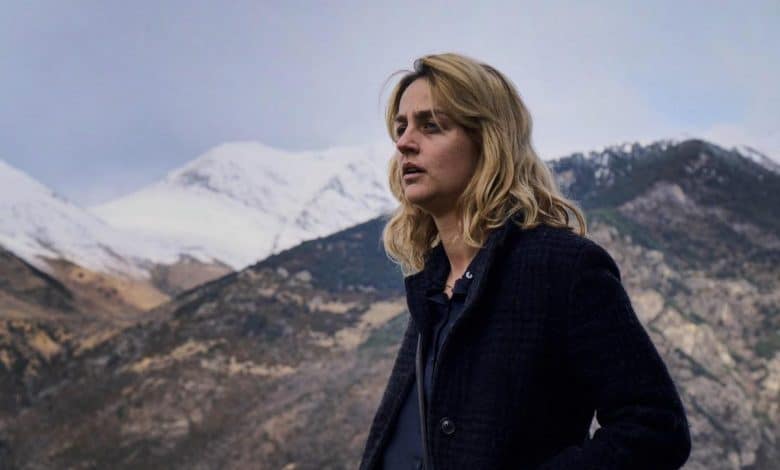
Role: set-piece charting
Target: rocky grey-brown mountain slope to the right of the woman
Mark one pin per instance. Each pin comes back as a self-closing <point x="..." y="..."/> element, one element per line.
<point x="707" y="284"/>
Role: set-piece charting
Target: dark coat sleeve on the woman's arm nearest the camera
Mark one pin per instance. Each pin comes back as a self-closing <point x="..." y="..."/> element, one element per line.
<point x="614" y="364"/>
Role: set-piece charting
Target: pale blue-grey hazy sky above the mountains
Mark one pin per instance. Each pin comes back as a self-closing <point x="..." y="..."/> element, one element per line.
<point x="98" y="98"/>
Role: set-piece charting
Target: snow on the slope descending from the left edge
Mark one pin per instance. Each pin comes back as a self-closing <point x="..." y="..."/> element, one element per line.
<point x="36" y="223"/>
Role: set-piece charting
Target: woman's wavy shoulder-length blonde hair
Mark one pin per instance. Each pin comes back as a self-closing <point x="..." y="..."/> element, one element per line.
<point x="510" y="177"/>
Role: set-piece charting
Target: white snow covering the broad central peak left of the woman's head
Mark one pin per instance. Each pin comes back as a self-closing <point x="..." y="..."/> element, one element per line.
<point x="242" y="201"/>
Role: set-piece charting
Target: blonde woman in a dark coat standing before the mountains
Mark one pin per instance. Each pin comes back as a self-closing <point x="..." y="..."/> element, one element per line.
<point x="520" y="328"/>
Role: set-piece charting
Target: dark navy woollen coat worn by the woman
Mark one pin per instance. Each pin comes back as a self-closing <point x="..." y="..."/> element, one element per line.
<point x="547" y="338"/>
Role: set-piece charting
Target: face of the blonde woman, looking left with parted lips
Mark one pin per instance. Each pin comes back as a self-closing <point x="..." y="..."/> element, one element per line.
<point x="437" y="163"/>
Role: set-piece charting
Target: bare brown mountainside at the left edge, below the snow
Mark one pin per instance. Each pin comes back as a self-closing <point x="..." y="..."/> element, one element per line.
<point x="45" y="320"/>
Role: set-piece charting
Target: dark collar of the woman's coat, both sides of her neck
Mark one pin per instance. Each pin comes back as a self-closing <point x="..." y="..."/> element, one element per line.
<point x="433" y="276"/>
